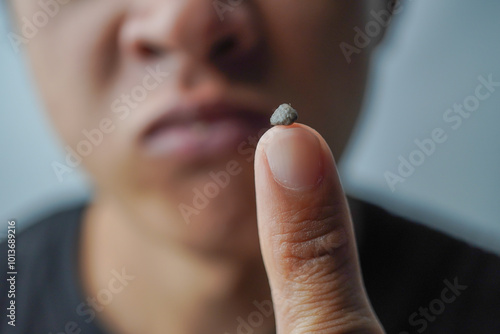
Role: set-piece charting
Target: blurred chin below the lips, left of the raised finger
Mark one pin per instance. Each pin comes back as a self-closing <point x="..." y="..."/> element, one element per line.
<point x="207" y="207"/>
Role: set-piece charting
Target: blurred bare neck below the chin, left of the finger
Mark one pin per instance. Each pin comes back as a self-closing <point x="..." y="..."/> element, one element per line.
<point x="169" y="288"/>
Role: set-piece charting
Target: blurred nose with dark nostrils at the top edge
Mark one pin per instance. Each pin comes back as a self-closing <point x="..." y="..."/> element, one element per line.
<point x="204" y="30"/>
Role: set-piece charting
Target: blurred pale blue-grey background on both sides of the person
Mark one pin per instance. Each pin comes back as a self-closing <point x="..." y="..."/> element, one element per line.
<point x="434" y="57"/>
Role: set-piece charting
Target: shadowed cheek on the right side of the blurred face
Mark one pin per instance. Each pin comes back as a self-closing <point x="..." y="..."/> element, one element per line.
<point x="305" y="39"/>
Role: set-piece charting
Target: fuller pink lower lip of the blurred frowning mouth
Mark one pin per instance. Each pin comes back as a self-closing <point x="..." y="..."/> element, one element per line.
<point x="202" y="140"/>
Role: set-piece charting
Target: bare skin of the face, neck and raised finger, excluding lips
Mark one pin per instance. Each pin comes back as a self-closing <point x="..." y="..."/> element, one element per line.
<point x="200" y="277"/>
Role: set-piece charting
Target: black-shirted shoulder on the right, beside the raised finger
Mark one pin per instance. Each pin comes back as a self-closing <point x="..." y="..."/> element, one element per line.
<point x="421" y="279"/>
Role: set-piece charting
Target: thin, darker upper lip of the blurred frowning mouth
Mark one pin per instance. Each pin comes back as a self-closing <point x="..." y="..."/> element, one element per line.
<point x="189" y="112"/>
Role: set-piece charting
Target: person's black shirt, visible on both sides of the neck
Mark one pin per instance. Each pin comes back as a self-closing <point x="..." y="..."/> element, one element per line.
<point x="418" y="280"/>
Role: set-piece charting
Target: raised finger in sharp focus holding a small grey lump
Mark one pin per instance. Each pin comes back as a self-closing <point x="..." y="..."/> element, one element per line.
<point x="307" y="238"/>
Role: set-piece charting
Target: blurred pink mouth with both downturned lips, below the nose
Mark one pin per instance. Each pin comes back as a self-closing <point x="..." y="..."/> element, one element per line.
<point x="198" y="132"/>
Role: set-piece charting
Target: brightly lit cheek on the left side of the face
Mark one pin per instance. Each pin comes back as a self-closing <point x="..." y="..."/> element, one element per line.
<point x="66" y="56"/>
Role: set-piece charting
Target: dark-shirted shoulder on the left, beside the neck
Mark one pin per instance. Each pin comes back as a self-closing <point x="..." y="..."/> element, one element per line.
<point x="42" y="259"/>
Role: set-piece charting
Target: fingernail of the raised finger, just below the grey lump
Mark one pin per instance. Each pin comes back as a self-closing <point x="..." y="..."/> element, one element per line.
<point x="295" y="159"/>
